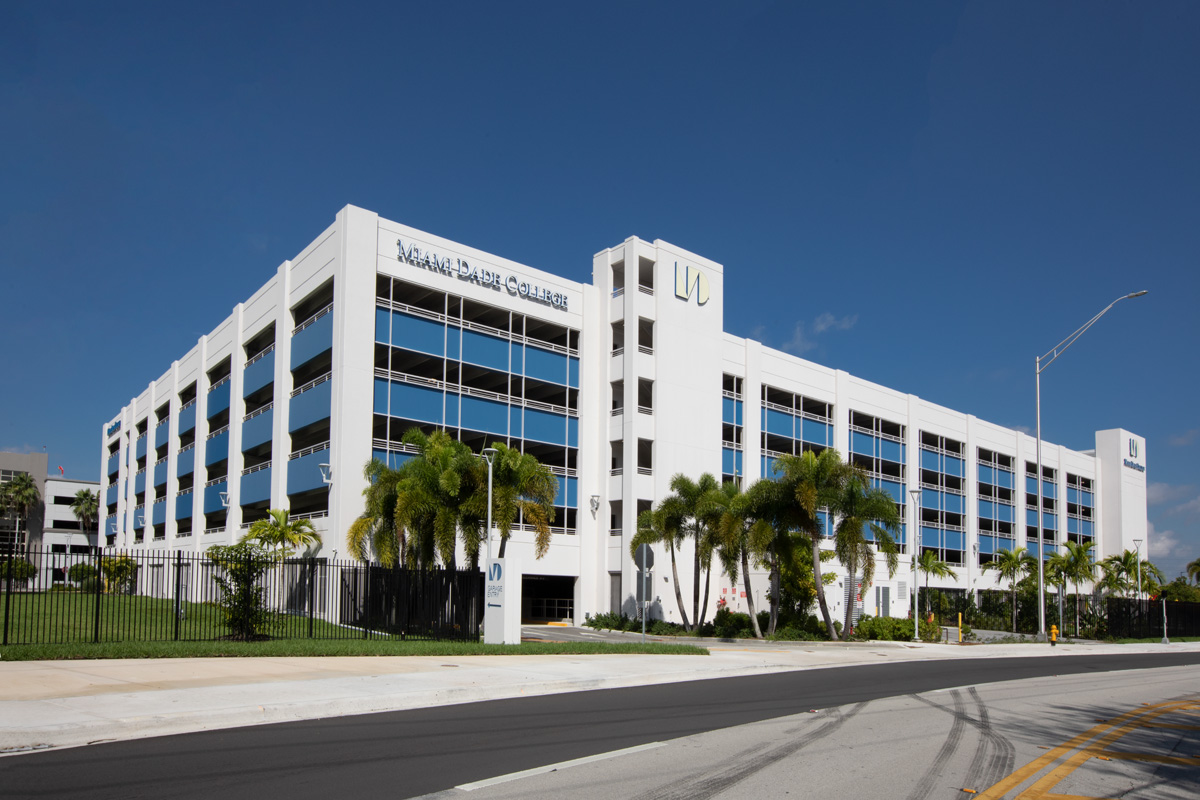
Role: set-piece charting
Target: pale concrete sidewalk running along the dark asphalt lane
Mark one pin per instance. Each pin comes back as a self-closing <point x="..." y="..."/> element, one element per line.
<point x="70" y="703"/>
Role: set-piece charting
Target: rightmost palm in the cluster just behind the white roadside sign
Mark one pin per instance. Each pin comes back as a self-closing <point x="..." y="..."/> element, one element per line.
<point x="521" y="488"/>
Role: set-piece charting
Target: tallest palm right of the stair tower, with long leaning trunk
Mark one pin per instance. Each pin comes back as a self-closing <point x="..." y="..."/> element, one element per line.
<point x="813" y="483"/>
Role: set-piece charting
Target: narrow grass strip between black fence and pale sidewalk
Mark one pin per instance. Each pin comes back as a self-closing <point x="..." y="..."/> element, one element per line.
<point x="316" y="648"/>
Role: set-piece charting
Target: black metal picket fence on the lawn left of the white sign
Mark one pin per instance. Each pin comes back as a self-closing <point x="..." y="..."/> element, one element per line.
<point x="175" y="596"/>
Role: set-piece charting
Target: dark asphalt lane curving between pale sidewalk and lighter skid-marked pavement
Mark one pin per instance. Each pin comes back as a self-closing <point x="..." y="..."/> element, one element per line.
<point x="412" y="754"/>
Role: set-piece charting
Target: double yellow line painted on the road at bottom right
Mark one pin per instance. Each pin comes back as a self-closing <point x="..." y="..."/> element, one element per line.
<point x="1108" y="733"/>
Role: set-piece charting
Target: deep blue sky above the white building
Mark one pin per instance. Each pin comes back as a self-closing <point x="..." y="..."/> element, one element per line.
<point x="925" y="195"/>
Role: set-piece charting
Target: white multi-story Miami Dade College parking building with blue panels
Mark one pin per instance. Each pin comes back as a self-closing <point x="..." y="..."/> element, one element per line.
<point x="617" y="386"/>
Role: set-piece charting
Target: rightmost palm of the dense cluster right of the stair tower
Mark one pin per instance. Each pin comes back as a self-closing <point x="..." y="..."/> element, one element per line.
<point x="860" y="509"/>
